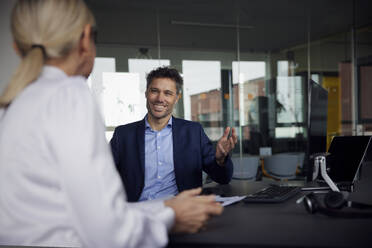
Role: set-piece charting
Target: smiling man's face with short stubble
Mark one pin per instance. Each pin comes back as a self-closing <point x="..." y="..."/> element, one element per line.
<point x="161" y="96"/>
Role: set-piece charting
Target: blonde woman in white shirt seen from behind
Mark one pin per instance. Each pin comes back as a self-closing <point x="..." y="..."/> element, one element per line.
<point x="58" y="183"/>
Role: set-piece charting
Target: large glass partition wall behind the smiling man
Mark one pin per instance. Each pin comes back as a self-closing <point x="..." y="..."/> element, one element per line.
<point x="245" y="64"/>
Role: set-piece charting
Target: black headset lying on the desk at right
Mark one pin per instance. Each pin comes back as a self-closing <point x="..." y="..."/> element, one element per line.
<point x="334" y="202"/>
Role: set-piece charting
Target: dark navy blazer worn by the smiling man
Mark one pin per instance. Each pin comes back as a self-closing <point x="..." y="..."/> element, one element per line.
<point x="192" y="153"/>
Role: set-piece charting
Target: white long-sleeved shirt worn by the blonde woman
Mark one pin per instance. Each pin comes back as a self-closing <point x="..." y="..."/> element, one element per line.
<point x="58" y="182"/>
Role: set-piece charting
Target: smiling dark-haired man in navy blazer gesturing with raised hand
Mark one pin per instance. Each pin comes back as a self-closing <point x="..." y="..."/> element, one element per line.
<point x="161" y="155"/>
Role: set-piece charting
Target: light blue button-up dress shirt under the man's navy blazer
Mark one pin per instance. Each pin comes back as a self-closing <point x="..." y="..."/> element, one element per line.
<point x="160" y="180"/>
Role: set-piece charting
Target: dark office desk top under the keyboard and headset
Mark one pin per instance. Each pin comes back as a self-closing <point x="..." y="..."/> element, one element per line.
<point x="274" y="225"/>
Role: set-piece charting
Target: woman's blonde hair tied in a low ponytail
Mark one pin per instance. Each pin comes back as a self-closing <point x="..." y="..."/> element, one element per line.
<point x="43" y="29"/>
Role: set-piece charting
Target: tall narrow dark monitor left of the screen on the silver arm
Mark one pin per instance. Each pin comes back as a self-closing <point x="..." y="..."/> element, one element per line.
<point x="317" y="124"/>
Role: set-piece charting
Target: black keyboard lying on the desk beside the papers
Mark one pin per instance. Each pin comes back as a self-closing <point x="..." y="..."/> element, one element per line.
<point x="273" y="194"/>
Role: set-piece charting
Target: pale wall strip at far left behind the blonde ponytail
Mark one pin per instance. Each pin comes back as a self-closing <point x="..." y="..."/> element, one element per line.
<point x="8" y="58"/>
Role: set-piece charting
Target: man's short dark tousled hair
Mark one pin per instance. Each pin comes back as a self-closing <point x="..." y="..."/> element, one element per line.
<point x="165" y="72"/>
